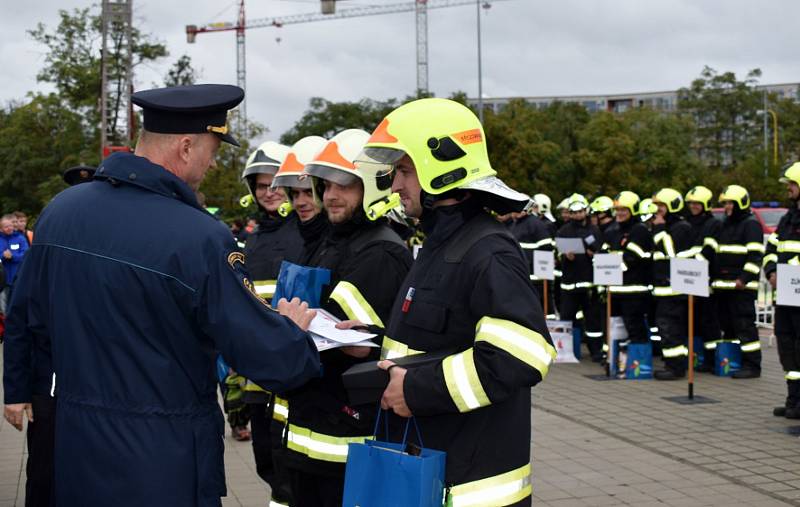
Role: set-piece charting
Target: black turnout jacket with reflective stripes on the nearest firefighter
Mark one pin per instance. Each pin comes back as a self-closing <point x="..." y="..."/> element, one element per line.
<point x="475" y="405"/>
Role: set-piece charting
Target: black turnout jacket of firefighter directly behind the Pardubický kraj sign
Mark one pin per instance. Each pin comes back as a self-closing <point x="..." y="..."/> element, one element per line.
<point x="671" y="239"/>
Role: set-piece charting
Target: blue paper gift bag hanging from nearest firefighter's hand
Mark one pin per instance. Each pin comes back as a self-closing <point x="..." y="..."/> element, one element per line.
<point x="383" y="474"/>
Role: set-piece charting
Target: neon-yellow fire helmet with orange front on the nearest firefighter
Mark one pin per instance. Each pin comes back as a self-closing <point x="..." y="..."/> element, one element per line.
<point x="447" y="144"/>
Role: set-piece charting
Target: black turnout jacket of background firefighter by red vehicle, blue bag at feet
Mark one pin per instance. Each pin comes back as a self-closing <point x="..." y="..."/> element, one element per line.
<point x="739" y="252"/>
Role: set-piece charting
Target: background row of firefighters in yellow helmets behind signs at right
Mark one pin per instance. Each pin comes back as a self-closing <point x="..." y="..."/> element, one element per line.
<point x="648" y="233"/>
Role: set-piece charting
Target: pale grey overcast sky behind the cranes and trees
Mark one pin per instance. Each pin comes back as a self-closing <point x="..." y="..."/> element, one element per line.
<point x="530" y="48"/>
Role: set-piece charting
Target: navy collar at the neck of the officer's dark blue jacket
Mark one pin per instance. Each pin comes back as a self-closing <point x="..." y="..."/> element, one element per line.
<point x="129" y="169"/>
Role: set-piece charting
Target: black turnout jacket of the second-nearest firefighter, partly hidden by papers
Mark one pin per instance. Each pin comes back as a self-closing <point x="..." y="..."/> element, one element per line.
<point x="368" y="262"/>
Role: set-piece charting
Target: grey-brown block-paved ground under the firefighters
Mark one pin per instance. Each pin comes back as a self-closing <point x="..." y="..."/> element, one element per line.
<point x="607" y="443"/>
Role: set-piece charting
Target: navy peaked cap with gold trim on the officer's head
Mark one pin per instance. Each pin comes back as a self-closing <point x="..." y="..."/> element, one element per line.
<point x="193" y="109"/>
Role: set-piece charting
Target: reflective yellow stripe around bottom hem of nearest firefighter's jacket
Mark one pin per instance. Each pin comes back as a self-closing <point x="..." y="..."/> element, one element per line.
<point x="497" y="491"/>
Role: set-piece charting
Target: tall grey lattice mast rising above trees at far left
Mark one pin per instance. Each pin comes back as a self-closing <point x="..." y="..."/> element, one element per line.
<point x="116" y="113"/>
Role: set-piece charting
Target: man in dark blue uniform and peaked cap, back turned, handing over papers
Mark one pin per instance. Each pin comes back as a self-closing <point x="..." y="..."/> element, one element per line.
<point x="136" y="314"/>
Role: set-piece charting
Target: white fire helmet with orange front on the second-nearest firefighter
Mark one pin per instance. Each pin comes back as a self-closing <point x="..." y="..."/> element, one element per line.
<point x="343" y="161"/>
